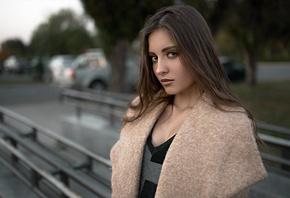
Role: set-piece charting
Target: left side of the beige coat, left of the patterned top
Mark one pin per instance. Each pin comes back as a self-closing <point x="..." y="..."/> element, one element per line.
<point x="129" y="151"/>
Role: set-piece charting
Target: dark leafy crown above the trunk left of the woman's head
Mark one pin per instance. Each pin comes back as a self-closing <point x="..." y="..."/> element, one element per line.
<point x="120" y="20"/>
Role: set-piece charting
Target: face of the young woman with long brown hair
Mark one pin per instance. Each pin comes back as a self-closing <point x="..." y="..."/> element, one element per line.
<point x="167" y="67"/>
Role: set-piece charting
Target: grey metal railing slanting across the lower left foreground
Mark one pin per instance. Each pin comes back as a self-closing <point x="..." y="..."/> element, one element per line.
<point x="52" y="177"/>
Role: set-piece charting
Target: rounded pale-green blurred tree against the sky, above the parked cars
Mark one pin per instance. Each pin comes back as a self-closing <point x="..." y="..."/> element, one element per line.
<point x="64" y="33"/>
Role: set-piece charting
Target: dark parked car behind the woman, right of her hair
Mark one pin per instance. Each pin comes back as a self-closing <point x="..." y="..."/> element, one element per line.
<point x="234" y="69"/>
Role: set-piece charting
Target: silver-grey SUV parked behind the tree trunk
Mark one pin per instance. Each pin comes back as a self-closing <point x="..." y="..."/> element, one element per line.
<point x="92" y="70"/>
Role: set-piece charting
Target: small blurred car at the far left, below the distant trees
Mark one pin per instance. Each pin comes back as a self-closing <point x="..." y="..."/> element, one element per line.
<point x="16" y="64"/>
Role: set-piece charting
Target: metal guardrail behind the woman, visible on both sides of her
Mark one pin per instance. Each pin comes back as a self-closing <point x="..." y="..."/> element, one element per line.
<point x="80" y="99"/>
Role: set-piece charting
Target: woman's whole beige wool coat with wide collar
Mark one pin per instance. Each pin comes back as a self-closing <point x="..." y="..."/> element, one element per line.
<point x="214" y="154"/>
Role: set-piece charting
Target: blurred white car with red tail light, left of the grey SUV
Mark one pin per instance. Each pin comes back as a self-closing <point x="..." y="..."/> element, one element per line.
<point x="61" y="70"/>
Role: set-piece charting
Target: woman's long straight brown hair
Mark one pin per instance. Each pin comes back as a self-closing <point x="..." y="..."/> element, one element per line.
<point x="195" y="45"/>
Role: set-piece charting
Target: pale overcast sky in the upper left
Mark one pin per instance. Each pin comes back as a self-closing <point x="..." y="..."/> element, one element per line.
<point x="18" y="18"/>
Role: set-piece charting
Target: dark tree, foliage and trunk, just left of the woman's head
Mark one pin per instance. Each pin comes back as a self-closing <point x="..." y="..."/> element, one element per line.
<point x="119" y="23"/>
